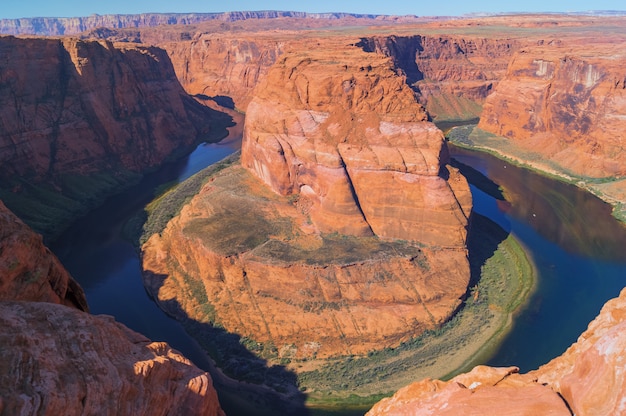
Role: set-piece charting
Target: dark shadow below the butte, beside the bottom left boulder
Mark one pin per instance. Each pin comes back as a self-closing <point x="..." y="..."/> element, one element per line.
<point x="245" y="383"/>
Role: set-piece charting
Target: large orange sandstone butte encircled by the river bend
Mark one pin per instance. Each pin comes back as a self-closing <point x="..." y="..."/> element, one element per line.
<point x="346" y="231"/>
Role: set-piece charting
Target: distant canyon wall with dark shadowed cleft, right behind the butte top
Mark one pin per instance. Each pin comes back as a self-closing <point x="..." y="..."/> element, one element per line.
<point x="451" y="74"/>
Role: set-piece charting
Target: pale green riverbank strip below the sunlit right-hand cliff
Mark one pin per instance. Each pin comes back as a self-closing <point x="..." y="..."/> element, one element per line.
<point x="610" y="190"/>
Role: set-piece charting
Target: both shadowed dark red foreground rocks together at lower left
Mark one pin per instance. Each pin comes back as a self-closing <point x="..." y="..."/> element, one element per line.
<point x="59" y="359"/>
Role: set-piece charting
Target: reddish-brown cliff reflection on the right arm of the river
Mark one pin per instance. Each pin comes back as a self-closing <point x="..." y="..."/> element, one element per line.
<point x="564" y="214"/>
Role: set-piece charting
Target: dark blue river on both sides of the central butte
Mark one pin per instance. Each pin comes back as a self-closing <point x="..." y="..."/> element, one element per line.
<point x="578" y="249"/>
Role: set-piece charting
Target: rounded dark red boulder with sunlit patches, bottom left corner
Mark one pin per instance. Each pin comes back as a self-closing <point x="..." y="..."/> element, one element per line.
<point x="58" y="360"/>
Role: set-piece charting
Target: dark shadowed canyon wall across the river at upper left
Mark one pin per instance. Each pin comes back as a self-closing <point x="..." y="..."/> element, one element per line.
<point x="80" y="119"/>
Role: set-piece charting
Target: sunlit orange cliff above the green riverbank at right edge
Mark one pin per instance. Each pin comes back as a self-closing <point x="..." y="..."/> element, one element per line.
<point x="565" y="103"/>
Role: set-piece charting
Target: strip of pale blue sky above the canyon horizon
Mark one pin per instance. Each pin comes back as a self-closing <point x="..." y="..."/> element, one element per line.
<point x="67" y="8"/>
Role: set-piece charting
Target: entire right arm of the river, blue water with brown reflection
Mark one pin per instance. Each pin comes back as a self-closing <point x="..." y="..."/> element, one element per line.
<point x="574" y="242"/>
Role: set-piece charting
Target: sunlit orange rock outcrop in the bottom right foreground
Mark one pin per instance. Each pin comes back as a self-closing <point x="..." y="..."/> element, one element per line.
<point x="588" y="379"/>
